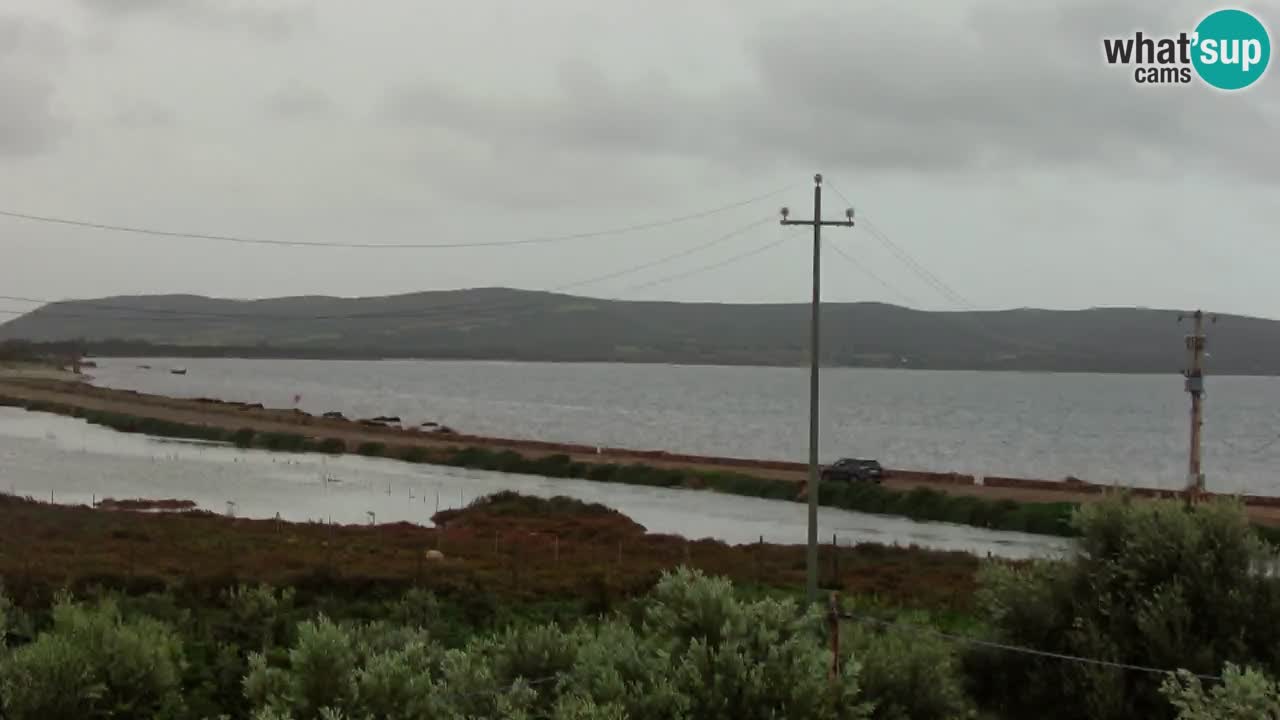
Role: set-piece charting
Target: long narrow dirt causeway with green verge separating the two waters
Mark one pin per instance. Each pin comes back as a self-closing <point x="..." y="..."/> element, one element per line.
<point x="253" y="426"/>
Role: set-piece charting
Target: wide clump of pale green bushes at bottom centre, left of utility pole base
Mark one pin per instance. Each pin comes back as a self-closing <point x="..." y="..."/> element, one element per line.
<point x="698" y="654"/>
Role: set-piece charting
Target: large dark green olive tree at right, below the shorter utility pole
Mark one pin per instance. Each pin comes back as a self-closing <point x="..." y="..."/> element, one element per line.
<point x="1151" y="584"/>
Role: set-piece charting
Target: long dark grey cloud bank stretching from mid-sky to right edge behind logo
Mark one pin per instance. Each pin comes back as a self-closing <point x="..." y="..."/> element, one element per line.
<point x="1016" y="86"/>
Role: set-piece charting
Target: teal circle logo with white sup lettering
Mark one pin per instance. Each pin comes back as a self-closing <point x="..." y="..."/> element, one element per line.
<point x="1232" y="49"/>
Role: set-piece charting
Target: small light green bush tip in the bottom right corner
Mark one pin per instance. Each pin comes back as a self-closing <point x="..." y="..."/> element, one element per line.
<point x="1244" y="695"/>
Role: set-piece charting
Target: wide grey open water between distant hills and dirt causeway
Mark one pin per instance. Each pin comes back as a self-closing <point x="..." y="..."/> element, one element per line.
<point x="1128" y="430"/>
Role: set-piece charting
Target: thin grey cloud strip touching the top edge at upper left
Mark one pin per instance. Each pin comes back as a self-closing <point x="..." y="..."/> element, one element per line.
<point x="271" y="20"/>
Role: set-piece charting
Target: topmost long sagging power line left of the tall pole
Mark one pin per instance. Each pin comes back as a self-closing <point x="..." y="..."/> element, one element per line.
<point x="618" y="231"/>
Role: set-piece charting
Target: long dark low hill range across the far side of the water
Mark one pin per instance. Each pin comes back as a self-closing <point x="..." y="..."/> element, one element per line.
<point x="510" y="325"/>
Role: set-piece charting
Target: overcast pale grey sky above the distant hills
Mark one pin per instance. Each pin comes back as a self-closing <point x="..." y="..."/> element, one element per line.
<point x="985" y="138"/>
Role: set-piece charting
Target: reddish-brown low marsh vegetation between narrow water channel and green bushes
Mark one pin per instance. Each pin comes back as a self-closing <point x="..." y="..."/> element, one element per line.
<point x="527" y="550"/>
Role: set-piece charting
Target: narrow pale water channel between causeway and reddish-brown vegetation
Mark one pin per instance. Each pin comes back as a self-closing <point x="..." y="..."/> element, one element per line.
<point x="72" y="462"/>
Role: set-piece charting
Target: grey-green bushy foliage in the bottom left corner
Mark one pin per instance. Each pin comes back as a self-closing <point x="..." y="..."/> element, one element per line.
<point x="94" y="664"/>
